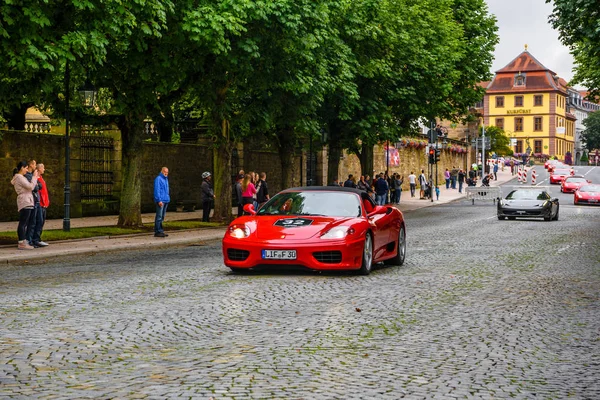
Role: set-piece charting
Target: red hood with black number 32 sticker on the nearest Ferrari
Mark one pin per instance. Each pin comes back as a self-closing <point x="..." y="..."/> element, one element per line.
<point x="294" y="227"/>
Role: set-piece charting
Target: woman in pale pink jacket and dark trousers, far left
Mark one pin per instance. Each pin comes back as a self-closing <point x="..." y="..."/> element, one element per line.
<point x="24" y="200"/>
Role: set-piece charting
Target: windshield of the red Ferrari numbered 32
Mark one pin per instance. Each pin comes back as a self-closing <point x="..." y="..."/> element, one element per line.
<point x="316" y="203"/>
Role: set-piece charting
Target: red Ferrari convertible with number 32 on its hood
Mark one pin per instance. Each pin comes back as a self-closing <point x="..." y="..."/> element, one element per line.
<point x="319" y="228"/>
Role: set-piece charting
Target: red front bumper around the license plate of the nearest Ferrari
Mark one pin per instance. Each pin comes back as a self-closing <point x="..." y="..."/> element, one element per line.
<point x="323" y="255"/>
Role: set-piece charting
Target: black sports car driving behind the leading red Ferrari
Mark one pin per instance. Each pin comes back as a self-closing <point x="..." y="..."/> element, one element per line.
<point x="528" y="202"/>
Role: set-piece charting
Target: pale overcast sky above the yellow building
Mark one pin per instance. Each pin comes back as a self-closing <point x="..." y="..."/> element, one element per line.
<point x="523" y="22"/>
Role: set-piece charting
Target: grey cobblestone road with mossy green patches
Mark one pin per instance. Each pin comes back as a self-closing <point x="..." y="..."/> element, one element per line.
<point x="481" y="309"/>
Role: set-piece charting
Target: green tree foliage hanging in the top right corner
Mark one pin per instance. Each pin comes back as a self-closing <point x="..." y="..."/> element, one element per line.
<point x="577" y="23"/>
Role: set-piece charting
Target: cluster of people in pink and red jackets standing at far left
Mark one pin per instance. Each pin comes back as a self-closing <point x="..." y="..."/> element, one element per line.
<point x="32" y="203"/>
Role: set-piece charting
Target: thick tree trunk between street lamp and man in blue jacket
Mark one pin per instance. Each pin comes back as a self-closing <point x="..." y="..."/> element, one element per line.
<point x="132" y="130"/>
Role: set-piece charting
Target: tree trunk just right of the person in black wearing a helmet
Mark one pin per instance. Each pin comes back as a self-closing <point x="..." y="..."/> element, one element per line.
<point x="222" y="182"/>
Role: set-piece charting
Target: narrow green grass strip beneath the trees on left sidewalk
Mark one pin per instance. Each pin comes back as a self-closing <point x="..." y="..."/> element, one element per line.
<point x="82" y="233"/>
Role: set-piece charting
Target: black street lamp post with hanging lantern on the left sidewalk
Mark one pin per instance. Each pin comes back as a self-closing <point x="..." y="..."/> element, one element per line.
<point x="87" y="94"/>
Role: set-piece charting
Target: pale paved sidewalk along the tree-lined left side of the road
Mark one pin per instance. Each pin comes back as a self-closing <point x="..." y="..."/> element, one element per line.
<point x="9" y="255"/>
